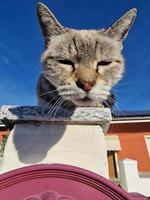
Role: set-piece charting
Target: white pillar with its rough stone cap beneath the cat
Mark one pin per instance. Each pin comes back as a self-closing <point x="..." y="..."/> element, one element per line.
<point x="74" y="137"/>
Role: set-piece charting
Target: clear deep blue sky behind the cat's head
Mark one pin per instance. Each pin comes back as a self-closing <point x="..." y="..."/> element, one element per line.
<point x="21" y="45"/>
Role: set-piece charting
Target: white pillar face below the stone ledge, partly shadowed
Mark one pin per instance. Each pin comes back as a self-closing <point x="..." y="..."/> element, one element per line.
<point x="77" y="145"/>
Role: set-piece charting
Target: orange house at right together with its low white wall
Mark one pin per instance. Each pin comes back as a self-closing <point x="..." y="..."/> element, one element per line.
<point x="128" y="141"/>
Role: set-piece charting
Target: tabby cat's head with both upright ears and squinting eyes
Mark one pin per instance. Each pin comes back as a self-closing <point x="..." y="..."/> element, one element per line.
<point x="83" y="65"/>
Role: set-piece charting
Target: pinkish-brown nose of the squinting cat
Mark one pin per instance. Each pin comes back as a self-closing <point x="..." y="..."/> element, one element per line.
<point x="86" y="85"/>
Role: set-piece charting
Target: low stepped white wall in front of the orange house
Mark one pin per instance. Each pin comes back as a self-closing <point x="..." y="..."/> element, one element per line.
<point x="130" y="180"/>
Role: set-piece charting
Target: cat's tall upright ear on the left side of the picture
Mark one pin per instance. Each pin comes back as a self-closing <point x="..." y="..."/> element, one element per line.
<point x="49" y="24"/>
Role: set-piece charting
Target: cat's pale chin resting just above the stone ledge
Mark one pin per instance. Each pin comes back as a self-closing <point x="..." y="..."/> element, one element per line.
<point x="86" y="103"/>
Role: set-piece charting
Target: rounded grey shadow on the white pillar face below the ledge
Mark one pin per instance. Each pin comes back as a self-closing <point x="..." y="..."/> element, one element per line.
<point x="32" y="141"/>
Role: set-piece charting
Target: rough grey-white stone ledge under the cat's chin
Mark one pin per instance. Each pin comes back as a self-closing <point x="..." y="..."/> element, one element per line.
<point x="80" y="115"/>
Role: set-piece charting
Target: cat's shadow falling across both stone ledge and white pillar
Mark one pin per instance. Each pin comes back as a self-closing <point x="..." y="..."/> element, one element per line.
<point x="32" y="141"/>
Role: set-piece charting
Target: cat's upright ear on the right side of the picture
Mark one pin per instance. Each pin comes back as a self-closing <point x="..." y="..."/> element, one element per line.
<point x="120" y="29"/>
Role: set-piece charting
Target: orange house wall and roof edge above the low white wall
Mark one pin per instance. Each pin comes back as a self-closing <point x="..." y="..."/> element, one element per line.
<point x="130" y="134"/>
